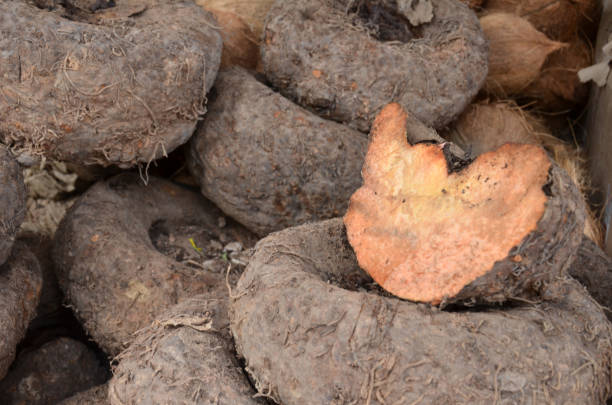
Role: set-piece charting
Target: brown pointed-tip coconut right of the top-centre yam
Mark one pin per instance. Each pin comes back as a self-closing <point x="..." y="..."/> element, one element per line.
<point x="516" y="55"/>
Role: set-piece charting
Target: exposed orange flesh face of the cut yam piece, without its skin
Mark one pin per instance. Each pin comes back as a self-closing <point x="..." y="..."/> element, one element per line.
<point x="424" y="234"/>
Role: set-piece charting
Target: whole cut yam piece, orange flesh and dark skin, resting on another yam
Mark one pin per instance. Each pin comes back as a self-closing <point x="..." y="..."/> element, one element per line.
<point x="500" y="227"/>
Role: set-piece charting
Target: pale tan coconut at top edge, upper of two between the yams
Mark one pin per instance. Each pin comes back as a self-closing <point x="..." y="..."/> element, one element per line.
<point x="252" y="12"/>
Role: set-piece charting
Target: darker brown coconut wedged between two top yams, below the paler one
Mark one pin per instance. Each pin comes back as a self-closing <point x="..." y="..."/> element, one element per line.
<point x="240" y="45"/>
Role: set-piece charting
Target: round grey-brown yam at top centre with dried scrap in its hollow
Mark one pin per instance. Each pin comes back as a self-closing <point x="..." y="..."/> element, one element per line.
<point x="347" y="59"/>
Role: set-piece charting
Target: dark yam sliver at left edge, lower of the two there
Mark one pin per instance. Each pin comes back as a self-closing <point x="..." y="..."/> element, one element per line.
<point x="20" y="287"/>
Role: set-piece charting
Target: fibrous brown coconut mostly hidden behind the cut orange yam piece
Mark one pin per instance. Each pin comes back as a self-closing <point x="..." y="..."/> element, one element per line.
<point x="486" y="126"/>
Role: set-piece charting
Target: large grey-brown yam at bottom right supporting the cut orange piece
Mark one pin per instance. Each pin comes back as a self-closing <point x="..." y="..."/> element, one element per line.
<point x="311" y="335"/>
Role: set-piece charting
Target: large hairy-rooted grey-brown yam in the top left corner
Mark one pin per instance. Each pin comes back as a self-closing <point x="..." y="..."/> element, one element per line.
<point x="121" y="86"/>
